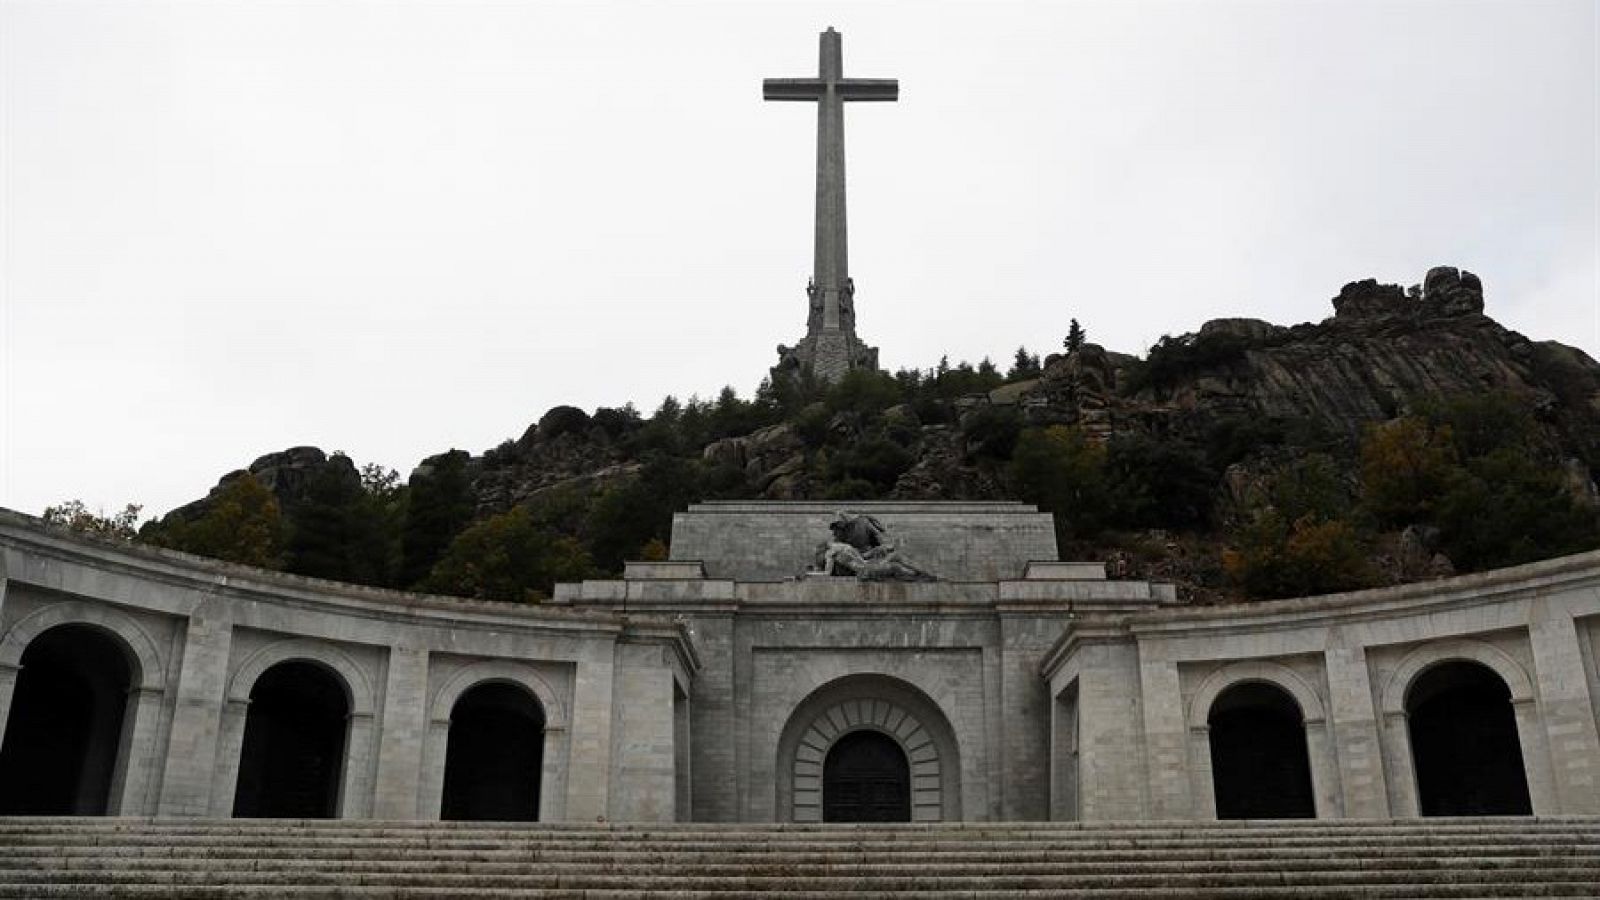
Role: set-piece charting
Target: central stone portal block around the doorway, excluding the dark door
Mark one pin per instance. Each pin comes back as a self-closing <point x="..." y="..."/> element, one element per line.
<point x="948" y="669"/>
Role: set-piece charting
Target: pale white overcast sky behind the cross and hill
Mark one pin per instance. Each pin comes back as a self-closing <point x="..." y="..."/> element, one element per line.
<point x="396" y="228"/>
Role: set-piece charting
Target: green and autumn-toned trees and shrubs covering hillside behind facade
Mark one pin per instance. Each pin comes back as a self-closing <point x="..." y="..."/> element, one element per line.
<point x="1276" y="507"/>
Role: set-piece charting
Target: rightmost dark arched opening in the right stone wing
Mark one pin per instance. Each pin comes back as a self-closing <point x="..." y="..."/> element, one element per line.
<point x="1465" y="742"/>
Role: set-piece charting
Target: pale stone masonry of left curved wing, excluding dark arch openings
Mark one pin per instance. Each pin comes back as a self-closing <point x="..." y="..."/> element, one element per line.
<point x="199" y="633"/>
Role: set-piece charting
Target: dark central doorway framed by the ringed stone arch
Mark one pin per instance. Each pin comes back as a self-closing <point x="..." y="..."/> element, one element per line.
<point x="866" y="779"/>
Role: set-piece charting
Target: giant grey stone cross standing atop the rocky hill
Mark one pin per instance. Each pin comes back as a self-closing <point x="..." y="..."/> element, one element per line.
<point x="831" y="344"/>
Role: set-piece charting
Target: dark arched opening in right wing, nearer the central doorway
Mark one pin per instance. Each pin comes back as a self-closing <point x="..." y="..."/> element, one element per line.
<point x="1260" y="768"/>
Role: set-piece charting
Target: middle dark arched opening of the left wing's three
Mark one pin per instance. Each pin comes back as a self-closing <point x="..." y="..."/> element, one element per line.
<point x="294" y="753"/>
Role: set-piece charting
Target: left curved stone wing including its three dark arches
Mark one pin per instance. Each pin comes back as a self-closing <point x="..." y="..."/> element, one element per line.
<point x="137" y="681"/>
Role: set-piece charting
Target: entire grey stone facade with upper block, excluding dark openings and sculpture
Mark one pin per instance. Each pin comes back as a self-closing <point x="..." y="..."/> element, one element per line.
<point x="716" y="685"/>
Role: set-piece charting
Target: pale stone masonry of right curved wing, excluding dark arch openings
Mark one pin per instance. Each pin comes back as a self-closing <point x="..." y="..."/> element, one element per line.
<point x="1143" y="686"/>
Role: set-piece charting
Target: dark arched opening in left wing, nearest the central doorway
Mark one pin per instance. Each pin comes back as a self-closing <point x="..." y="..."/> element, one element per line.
<point x="495" y="755"/>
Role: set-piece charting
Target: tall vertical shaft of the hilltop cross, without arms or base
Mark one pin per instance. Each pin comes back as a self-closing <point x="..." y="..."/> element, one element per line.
<point x="831" y="265"/>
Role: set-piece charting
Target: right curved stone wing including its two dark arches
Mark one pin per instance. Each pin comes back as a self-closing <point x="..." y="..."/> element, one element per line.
<point x="1473" y="696"/>
